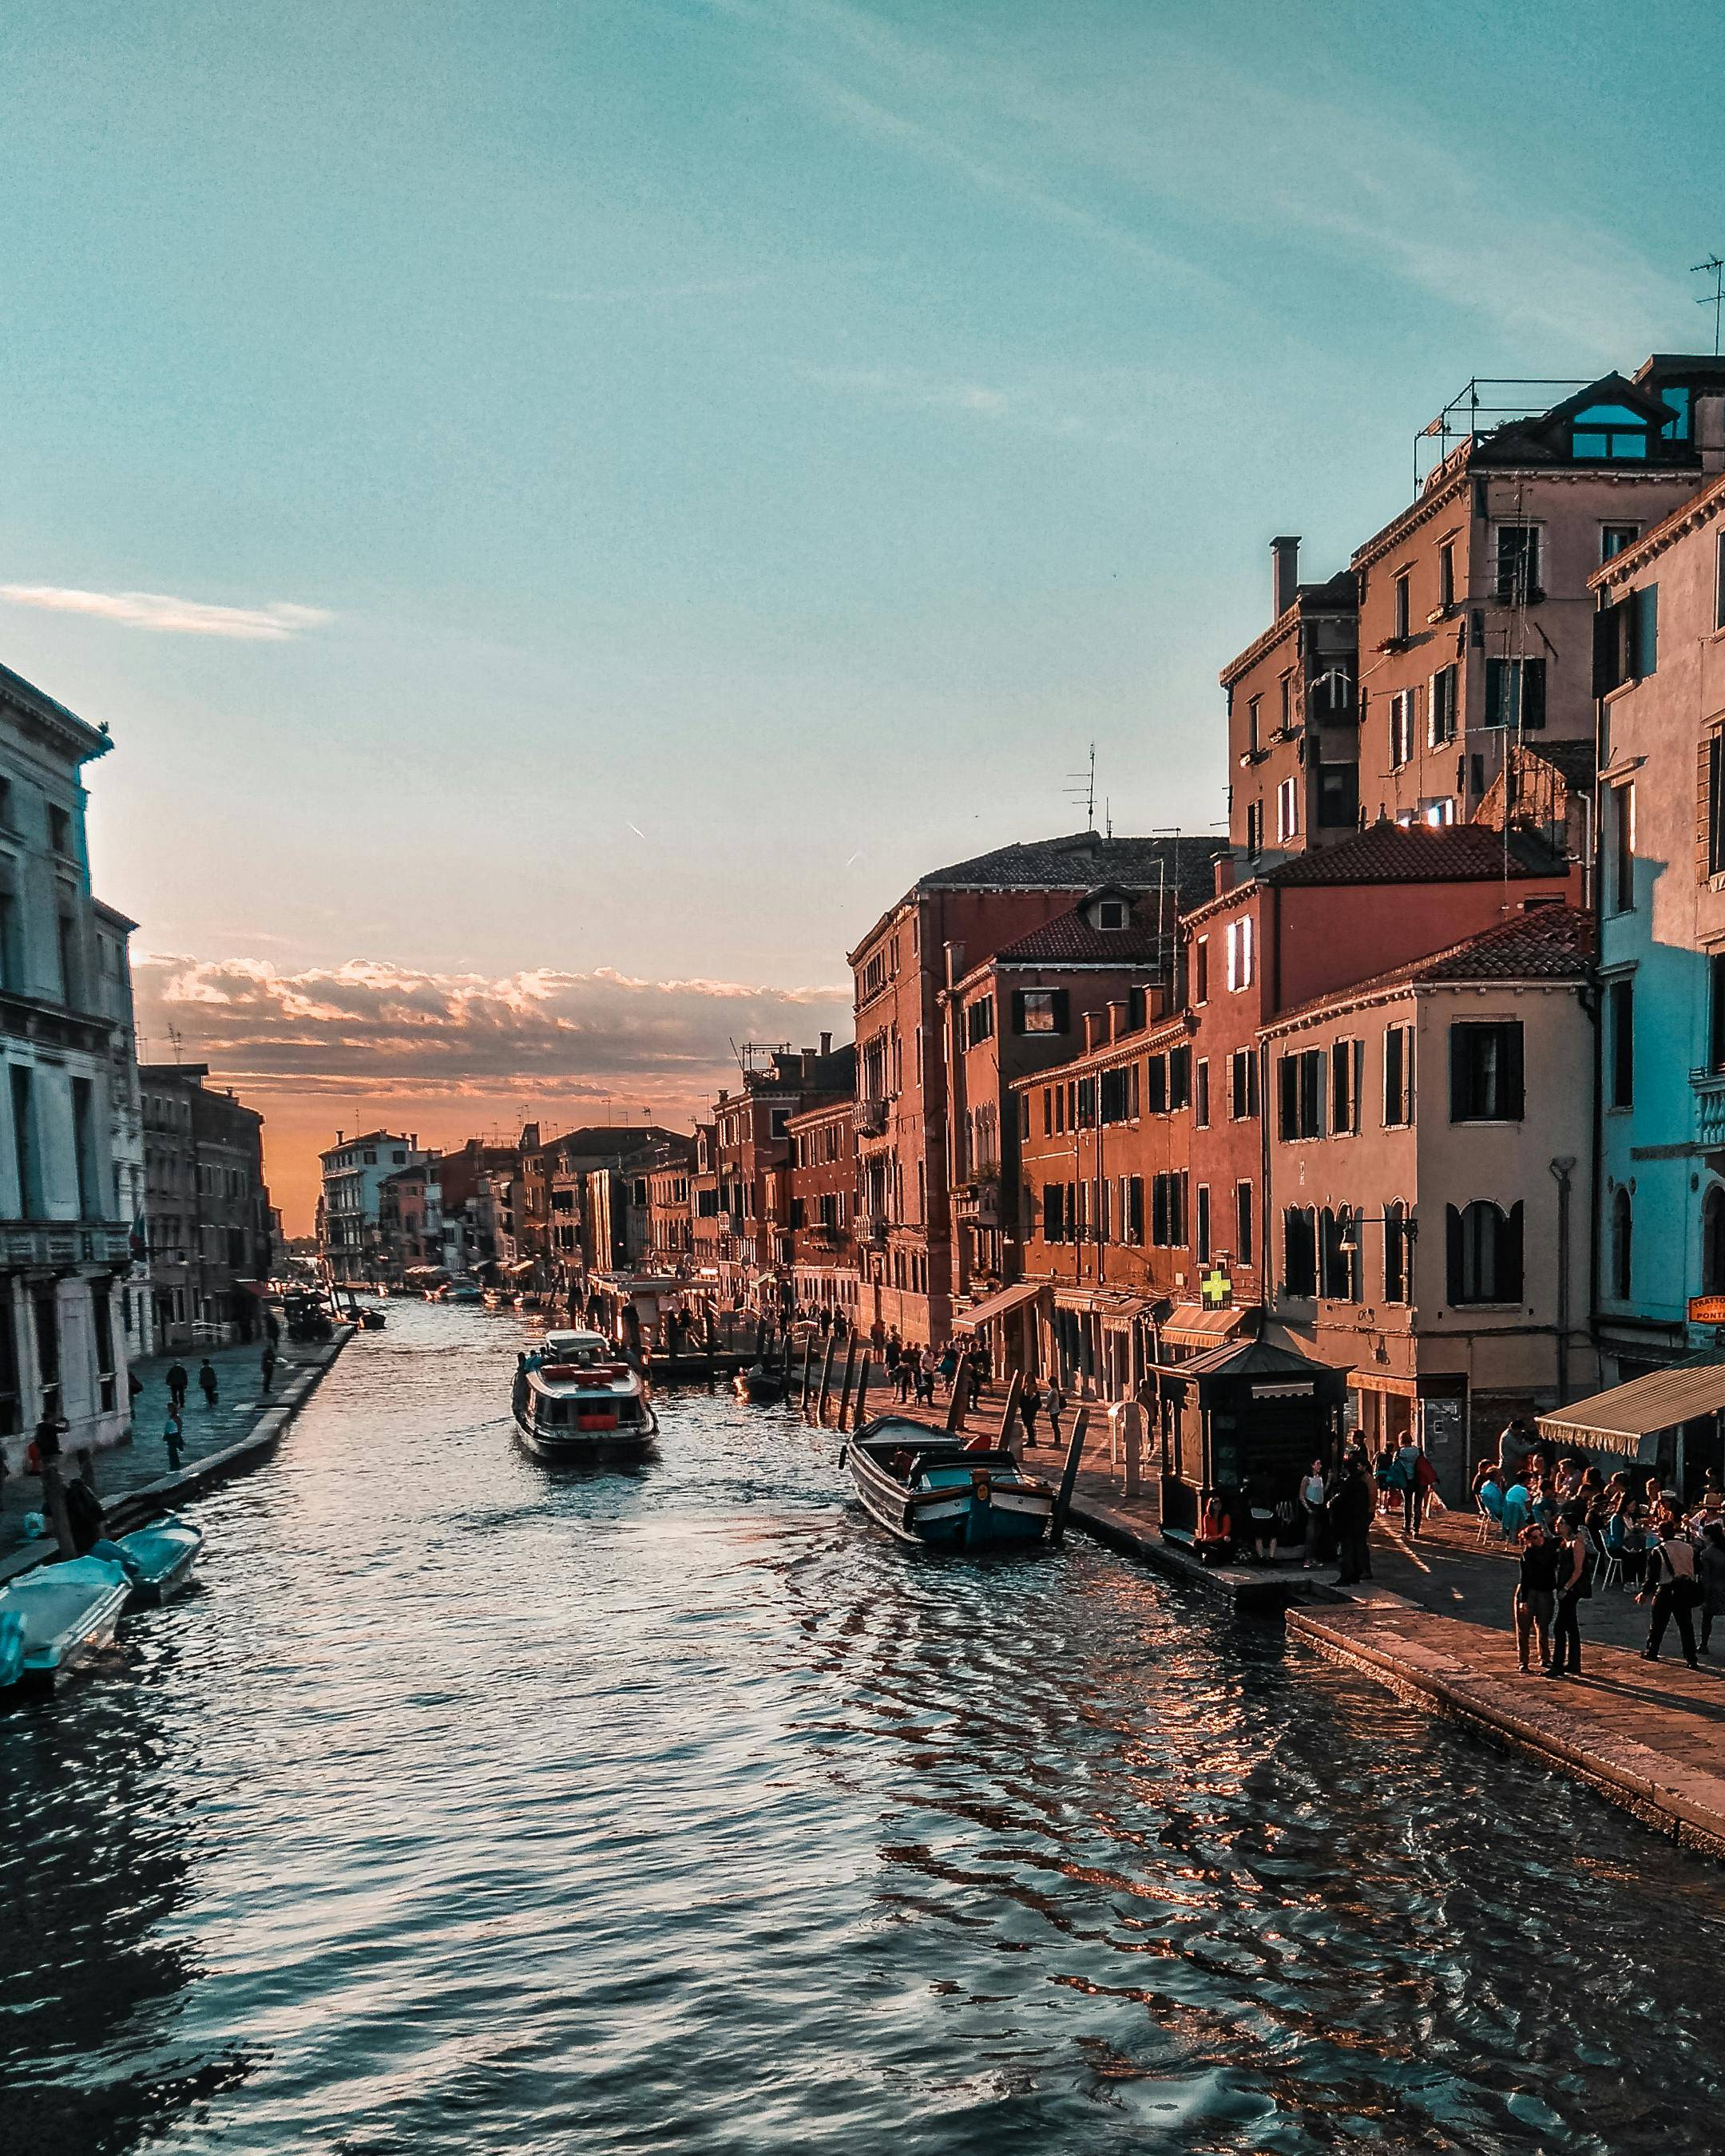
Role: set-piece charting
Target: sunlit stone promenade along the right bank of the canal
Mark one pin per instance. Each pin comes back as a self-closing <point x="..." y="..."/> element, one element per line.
<point x="1435" y="1625"/>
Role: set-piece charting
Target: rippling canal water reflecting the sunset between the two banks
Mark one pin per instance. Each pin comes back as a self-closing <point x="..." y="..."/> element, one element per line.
<point x="478" y="1808"/>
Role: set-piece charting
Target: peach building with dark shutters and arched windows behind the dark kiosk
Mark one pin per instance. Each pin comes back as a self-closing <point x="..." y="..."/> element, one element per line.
<point x="1429" y="1187"/>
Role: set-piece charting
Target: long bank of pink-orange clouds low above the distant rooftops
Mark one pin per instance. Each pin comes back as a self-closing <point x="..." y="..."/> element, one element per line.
<point x="463" y="1038"/>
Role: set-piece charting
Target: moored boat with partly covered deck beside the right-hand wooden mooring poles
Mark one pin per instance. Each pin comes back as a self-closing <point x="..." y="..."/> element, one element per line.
<point x="926" y="1487"/>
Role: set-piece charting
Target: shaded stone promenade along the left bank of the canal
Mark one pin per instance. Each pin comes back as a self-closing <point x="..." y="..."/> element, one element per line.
<point x="208" y="1433"/>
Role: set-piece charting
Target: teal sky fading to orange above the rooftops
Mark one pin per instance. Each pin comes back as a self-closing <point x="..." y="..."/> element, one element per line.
<point x="570" y="508"/>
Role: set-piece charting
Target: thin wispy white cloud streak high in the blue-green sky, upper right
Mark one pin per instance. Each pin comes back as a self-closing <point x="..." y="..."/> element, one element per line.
<point x="1120" y="137"/>
